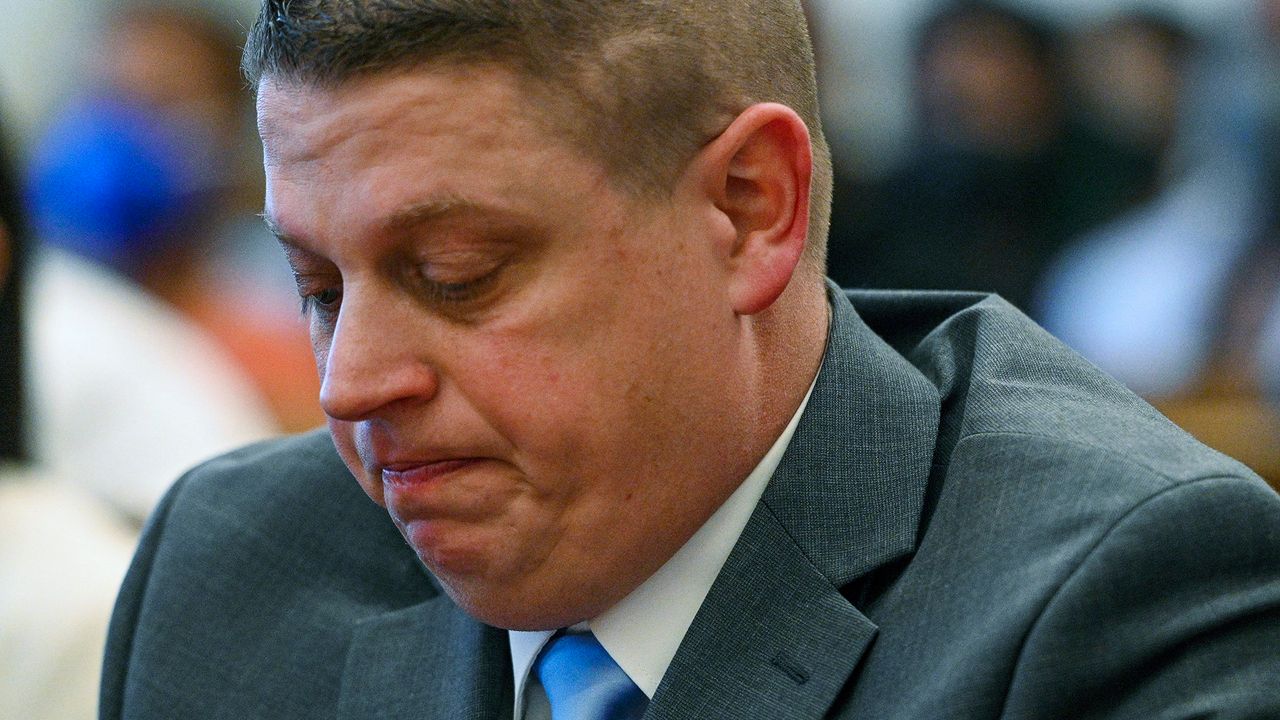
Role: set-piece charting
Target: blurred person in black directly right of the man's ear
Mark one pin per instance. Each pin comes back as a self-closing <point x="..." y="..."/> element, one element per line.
<point x="1003" y="174"/>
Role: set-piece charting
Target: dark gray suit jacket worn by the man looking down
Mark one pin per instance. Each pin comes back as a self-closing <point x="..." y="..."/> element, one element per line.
<point x="970" y="523"/>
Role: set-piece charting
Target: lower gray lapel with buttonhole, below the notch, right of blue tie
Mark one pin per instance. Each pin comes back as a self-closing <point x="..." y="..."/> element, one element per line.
<point x="772" y="640"/>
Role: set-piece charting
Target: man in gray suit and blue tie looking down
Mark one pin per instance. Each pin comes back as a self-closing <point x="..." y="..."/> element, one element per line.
<point x="563" y="263"/>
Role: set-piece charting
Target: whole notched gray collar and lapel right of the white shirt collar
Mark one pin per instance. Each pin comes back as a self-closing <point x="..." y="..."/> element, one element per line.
<point x="776" y="637"/>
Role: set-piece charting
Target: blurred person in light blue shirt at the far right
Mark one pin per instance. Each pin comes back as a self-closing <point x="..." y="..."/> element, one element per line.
<point x="1180" y="297"/>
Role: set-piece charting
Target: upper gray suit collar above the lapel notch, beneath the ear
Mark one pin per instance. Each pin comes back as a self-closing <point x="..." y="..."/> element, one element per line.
<point x="852" y="486"/>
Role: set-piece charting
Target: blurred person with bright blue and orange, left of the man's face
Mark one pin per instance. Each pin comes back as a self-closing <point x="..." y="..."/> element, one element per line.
<point x="147" y="172"/>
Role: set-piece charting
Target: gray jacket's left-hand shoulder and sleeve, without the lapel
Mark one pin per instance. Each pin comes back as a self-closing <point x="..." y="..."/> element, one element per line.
<point x="253" y="575"/>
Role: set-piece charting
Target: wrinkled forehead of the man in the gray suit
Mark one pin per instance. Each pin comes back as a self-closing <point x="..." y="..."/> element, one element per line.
<point x="342" y="161"/>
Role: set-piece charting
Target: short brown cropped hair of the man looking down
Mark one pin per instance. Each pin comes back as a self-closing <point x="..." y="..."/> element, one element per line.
<point x="646" y="83"/>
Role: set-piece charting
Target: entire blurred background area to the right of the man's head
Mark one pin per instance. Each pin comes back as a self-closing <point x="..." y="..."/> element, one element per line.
<point x="1110" y="167"/>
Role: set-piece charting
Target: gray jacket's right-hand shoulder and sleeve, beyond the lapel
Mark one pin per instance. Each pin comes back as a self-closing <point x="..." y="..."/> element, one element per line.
<point x="1075" y="544"/>
